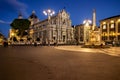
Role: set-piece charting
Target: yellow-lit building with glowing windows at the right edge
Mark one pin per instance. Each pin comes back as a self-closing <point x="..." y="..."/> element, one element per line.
<point x="110" y="29"/>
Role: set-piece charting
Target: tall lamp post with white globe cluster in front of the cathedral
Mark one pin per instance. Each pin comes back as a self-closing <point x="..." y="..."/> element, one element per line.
<point x="48" y="13"/>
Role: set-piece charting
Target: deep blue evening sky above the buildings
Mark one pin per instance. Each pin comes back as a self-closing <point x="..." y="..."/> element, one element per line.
<point x="79" y="10"/>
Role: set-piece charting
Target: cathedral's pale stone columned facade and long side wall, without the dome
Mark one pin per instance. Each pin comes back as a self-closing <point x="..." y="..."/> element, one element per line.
<point x="57" y="29"/>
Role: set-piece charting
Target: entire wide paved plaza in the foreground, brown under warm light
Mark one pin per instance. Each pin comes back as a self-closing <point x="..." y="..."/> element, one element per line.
<point x="59" y="63"/>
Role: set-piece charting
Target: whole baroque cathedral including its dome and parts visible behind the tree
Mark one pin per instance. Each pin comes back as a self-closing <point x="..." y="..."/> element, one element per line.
<point x="56" y="30"/>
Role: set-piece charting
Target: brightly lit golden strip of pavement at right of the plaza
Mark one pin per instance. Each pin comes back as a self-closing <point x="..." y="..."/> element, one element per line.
<point x="113" y="51"/>
